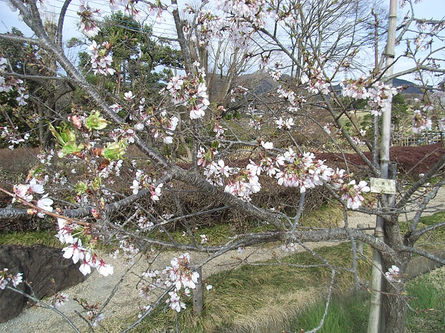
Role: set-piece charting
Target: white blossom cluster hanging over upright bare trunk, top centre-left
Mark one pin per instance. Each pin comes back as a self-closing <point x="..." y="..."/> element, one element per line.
<point x="191" y="91"/>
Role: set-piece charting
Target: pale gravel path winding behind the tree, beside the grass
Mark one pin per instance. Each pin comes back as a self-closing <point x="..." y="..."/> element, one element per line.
<point x="126" y="300"/>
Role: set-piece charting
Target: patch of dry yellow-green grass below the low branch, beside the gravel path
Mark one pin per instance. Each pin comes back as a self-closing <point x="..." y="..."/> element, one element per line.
<point x="260" y="298"/>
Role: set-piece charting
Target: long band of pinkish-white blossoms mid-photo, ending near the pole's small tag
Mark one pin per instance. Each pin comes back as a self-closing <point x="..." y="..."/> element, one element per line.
<point x="290" y="169"/>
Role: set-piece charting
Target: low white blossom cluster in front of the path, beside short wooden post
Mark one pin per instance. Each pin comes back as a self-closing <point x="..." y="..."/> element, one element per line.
<point x="178" y="275"/>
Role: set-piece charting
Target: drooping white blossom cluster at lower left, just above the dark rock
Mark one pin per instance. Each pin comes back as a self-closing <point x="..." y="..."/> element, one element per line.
<point x="78" y="253"/>
